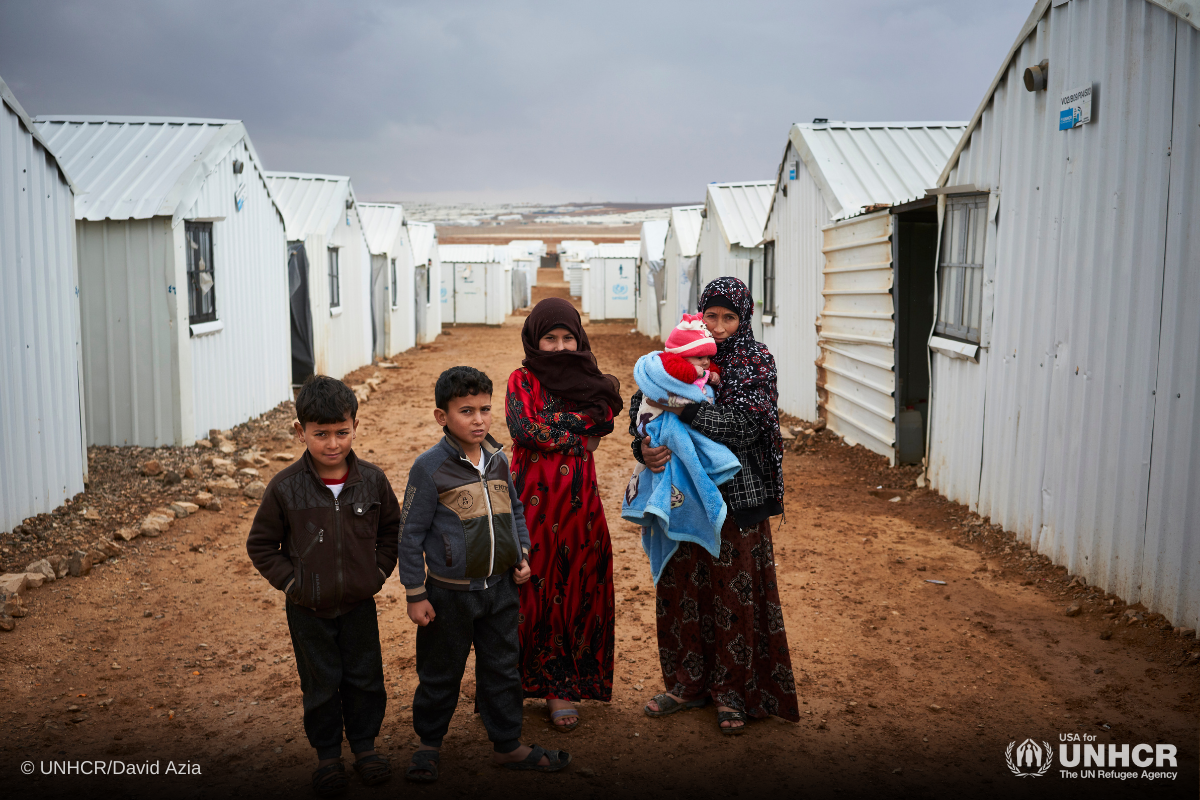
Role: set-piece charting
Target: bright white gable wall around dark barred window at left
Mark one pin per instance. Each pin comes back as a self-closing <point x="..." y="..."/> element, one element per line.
<point x="244" y="370"/>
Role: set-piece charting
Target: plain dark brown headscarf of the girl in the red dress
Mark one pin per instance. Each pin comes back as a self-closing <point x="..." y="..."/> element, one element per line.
<point x="569" y="375"/>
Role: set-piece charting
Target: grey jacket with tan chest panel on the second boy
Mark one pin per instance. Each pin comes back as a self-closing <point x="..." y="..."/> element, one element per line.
<point x="464" y="528"/>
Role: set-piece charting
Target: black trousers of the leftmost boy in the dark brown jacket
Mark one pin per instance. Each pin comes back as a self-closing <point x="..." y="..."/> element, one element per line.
<point x="341" y="676"/>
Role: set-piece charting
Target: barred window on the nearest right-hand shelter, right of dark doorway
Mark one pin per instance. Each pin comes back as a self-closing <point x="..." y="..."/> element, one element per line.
<point x="961" y="268"/>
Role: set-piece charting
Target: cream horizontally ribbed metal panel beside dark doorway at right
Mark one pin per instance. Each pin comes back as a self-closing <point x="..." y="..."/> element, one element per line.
<point x="856" y="378"/>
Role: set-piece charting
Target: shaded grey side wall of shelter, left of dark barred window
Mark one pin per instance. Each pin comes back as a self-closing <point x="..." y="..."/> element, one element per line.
<point x="127" y="269"/>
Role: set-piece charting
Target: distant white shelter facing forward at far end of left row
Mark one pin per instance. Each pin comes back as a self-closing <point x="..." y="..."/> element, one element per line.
<point x="473" y="290"/>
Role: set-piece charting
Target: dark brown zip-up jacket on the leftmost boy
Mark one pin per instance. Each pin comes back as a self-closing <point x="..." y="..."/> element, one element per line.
<point x="327" y="555"/>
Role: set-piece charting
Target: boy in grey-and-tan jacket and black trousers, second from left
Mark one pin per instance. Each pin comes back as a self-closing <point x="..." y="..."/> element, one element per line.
<point x="464" y="550"/>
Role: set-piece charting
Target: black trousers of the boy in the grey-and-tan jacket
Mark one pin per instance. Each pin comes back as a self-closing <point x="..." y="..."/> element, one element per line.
<point x="488" y="621"/>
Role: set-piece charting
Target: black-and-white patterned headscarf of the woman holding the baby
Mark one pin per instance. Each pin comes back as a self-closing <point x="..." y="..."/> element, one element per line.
<point x="749" y="381"/>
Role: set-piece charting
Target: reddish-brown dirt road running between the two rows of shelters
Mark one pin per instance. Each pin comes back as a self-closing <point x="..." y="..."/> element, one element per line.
<point x="909" y="688"/>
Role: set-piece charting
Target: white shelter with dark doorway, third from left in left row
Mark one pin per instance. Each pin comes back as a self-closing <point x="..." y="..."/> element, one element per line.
<point x="322" y="216"/>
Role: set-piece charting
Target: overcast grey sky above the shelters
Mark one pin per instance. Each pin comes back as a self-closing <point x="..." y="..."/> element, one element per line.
<point x="556" y="101"/>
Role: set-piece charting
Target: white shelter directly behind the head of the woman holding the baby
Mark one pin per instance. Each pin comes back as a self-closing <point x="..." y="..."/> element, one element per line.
<point x="731" y="237"/>
